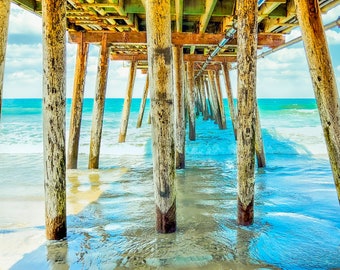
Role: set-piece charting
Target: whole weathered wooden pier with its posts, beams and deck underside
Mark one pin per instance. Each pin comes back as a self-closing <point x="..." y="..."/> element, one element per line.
<point x="184" y="47"/>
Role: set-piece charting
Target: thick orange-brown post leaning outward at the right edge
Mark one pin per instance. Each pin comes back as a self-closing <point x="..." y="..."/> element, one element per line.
<point x="323" y="79"/>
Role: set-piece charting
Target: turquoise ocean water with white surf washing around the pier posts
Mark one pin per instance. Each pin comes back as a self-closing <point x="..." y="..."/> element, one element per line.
<point x="111" y="215"/>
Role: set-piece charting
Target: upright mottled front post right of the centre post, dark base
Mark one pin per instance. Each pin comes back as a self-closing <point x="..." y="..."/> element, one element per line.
<point x="246" y="58"/>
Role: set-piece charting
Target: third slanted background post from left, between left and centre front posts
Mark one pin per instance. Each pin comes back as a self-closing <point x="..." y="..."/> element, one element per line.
<point x="127" y="102"/>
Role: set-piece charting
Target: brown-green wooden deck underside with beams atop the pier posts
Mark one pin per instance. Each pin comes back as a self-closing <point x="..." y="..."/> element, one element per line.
<point x="197" y="25"/>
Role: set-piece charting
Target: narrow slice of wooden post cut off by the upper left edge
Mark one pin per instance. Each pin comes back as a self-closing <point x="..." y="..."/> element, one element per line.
<point x="4" y="20"/>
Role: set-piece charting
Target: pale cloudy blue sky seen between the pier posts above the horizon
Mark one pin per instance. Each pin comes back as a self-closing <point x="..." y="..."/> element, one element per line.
<point x="283" y="74"/>
